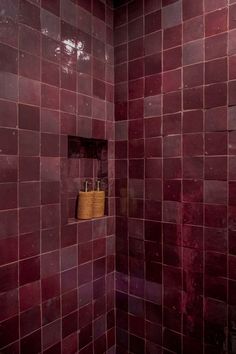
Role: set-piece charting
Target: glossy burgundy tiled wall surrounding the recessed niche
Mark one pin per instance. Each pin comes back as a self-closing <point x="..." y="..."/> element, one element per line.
<point x="56" y="79"/>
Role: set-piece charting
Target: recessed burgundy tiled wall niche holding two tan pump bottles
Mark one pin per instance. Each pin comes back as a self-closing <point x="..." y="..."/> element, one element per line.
<point x="87" y="160"/>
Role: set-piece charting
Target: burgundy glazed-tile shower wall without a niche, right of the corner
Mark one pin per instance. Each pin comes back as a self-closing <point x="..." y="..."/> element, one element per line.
<point x="175" y="111"/>
